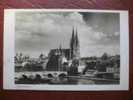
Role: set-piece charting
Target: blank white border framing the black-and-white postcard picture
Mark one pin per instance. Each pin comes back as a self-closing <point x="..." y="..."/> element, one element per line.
<point x="8" y="60"/>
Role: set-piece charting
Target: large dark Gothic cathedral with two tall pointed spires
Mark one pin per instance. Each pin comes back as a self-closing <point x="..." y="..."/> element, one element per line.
<point x="61" y="57"/>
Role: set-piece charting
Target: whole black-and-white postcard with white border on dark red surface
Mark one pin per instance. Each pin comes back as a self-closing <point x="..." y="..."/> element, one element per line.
<point x="66" y="48"/>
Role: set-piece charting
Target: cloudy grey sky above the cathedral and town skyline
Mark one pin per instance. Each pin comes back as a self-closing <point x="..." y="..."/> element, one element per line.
<point x="38" y="32"/>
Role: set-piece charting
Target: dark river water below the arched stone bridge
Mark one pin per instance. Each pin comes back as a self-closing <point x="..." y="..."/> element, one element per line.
<point x="67" y="81"/>
